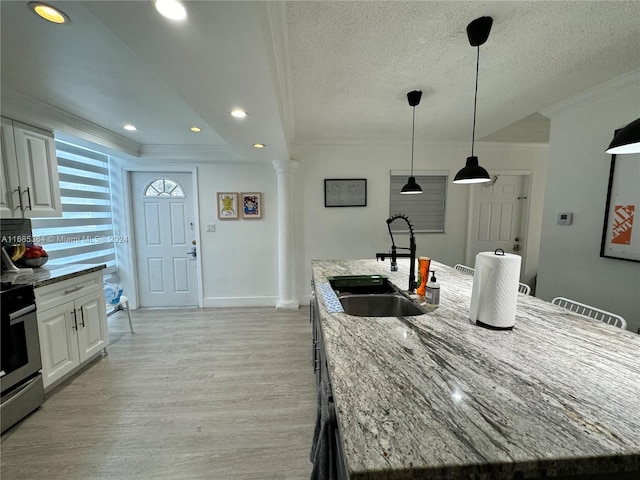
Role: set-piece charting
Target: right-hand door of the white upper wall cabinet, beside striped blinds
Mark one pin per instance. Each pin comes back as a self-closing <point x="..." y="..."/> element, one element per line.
<point x="38" y="171"/>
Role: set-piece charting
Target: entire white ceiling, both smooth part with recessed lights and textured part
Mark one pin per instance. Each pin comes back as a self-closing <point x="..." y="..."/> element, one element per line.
<point x="314" y="72"/>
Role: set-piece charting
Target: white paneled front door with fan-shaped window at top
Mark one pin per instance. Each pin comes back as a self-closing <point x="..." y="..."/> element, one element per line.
<point x="165" y="239"/>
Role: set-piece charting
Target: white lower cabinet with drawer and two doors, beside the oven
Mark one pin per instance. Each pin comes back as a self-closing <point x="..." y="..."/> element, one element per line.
<point x="72" y="324"/>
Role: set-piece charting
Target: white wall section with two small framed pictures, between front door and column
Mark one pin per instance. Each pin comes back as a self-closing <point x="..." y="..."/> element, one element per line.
<point x="239" y="260"/>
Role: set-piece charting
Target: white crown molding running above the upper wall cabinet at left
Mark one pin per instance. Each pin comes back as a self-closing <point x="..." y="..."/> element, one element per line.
<point x="40" y="114"/>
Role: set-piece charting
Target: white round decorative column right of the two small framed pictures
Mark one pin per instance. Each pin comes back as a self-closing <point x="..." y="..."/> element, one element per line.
<point x="286" y="233"/>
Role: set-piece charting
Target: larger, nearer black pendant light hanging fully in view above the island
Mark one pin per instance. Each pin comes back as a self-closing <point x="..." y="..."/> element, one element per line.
<point x="477" y="32"/>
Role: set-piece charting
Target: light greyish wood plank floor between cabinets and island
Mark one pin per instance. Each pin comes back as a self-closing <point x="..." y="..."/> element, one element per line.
<point x="195" y="394"/>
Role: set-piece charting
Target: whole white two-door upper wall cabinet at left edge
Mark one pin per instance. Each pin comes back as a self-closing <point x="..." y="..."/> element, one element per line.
<point x="29" y="186"/>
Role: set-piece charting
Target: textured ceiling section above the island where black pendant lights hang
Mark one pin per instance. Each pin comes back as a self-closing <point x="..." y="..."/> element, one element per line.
<point x="352" y="64"/>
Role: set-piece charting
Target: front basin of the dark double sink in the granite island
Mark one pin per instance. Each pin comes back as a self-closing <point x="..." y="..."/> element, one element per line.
<point x="379" y="305"/>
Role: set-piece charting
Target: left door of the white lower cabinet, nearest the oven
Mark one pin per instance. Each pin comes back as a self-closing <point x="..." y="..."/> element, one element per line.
<point x="58" y="342"/>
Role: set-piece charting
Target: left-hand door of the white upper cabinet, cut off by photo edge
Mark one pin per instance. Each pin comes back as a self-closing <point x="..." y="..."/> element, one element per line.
<point x="9" y="202"/>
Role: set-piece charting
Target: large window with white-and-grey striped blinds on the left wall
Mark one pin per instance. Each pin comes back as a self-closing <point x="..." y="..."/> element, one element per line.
<point x="84" y="234"/>
